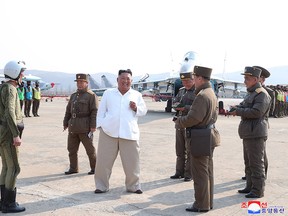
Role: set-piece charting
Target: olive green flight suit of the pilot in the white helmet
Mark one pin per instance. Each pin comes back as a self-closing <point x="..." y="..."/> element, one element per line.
<point x="10" y="116"/>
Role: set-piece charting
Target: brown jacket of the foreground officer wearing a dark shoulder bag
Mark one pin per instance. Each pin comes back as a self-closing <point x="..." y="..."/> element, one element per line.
<point x="203" y="112"/>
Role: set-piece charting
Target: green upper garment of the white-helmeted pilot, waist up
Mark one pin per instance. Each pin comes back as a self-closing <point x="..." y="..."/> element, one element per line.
<point x="10" y="113"/>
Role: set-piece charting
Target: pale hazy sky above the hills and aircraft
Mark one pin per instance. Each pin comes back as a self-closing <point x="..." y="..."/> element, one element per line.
<point x="146" y="36"/>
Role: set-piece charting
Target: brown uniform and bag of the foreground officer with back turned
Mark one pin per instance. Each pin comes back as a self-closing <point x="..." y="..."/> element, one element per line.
<point x="202" y="113"/>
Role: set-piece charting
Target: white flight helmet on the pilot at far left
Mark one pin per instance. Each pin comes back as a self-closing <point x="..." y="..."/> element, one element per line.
<point x="13" y="69"/>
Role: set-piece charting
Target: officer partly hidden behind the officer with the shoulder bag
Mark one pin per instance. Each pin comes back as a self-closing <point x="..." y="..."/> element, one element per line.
<point x="181" y="104"/>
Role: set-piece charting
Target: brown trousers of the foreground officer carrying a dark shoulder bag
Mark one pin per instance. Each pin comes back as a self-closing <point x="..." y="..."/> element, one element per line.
<point x="202" y="171"/>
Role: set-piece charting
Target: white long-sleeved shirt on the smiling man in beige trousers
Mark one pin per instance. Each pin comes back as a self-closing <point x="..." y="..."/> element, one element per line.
<point x="115" y="116"/>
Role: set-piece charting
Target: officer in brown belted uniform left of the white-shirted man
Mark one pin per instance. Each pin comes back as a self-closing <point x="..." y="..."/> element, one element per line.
<point x="80" y="119"/>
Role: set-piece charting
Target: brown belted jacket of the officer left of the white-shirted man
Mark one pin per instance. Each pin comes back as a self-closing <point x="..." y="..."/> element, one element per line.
<point x="81" y="112"/>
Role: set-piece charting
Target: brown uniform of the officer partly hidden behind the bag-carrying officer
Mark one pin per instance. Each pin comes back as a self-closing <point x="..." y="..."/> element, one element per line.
<point x="183" y="161"/>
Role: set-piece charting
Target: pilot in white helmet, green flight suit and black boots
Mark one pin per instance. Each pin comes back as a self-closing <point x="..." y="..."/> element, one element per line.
<point x="11" y="126"/>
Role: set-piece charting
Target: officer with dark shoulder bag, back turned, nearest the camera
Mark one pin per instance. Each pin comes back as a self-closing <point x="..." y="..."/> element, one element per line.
<point x="203" y="114"/>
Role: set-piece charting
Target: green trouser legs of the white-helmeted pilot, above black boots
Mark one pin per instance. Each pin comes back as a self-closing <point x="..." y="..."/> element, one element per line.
<point x="10" y="166"/>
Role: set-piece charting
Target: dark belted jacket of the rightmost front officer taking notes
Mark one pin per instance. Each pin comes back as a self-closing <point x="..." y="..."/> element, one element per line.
<point x="253" y="111"/>
